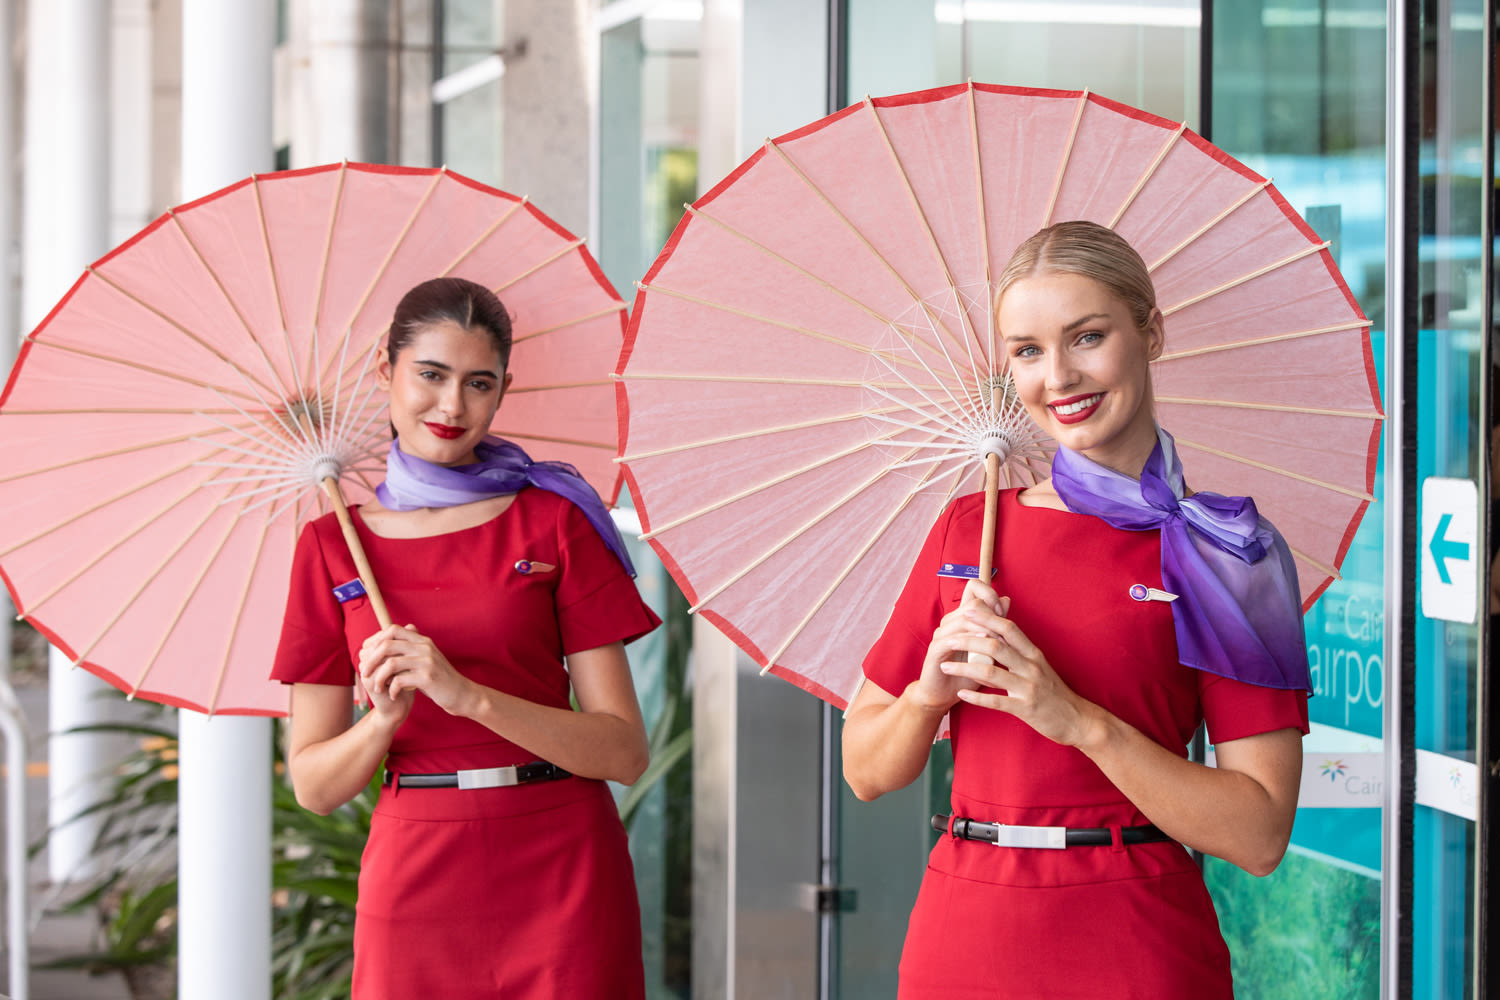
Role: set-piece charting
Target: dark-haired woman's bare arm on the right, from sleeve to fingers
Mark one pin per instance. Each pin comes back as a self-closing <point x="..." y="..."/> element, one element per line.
<point x="607" y="738"/>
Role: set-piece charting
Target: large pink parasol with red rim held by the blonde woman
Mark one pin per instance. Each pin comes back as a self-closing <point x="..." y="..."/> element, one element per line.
<point x="811" y="371"/>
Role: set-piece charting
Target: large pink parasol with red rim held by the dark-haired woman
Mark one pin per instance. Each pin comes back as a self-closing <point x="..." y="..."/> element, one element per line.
<point x="166" y="430"/>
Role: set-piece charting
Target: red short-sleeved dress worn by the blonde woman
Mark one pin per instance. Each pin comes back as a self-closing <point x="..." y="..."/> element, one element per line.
<point x="1085" y="921"/>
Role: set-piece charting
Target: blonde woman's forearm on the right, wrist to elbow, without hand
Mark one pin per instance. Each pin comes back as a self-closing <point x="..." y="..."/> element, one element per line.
<point x="1216" y="810"/>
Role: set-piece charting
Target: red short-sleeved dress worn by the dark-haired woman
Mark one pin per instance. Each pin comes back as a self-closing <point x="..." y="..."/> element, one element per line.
<point x="518" y="893"/>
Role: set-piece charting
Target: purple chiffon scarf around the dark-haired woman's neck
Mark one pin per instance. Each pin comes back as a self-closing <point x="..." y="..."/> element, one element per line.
<point x="502" y="469"/>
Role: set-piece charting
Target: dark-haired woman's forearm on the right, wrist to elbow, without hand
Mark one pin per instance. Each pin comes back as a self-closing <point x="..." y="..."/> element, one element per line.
<point x="587" y="744"/>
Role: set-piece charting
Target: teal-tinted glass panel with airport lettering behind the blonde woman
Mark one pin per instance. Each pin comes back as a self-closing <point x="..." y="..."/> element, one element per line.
<point x="1298" y="94"/>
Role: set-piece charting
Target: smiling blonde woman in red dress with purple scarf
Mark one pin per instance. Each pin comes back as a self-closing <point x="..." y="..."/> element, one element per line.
<point x="1124" y="611"/>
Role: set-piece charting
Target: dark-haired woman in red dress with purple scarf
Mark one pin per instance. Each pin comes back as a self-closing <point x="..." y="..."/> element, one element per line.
<point x="497" y="864"/>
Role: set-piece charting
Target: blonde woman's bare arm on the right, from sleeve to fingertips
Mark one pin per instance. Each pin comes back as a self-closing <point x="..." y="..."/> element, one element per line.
<point x="1240" y="812"/>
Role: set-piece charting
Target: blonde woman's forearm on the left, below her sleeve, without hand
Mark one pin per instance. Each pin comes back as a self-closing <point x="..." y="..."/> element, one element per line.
<point x="886" y="746"/>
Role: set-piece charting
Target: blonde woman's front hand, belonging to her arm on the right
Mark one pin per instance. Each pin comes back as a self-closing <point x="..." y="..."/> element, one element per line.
<point x="1028" y="687"/>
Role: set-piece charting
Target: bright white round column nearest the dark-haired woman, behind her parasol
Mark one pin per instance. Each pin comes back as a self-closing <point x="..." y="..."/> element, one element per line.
<point x="224" y="786"/>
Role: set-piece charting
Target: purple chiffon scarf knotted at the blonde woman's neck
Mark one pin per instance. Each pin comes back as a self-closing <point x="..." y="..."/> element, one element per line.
<point x="1238" y="611"/>
